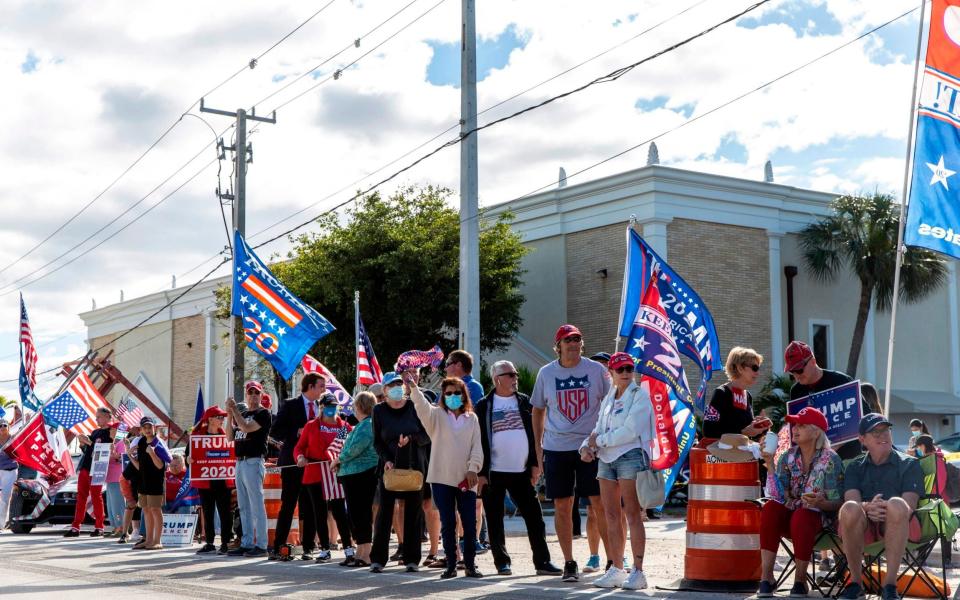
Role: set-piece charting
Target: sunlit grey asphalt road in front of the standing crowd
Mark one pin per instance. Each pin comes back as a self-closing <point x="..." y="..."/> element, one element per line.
<point x="45" y="565"/>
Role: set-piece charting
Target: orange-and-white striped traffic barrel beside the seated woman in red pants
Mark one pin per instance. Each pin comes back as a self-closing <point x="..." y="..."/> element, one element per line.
<point x="723" y="526"/>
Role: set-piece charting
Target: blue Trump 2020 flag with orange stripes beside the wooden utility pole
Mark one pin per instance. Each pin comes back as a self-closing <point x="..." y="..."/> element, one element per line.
<point x="276" y="324"/>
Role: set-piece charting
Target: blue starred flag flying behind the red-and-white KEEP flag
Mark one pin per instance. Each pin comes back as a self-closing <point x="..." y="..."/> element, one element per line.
<point x="690" y="319"/>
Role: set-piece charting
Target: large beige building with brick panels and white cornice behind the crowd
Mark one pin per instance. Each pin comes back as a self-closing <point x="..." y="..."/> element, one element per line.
<point x="730" y="239"/>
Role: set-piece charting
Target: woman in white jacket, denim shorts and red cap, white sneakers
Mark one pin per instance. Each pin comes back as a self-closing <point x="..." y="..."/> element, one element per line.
<point x="624" y="442"/>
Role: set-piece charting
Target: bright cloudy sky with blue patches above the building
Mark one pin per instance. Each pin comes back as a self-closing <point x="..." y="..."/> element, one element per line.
<point x="89" y="87"/>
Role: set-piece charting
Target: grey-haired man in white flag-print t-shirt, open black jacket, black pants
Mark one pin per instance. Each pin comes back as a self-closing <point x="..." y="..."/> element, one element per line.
<point x="510" y="465"/>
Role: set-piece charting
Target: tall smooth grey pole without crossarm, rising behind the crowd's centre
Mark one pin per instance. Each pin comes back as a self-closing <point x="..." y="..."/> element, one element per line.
<point x="469" y="203"/>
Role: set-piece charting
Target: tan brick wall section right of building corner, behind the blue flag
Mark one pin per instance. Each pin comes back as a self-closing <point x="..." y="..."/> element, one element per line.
<point x="728" y="267"/>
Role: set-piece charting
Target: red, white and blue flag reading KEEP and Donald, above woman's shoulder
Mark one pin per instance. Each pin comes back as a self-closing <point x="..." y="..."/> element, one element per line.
<point x="652" y="344"/>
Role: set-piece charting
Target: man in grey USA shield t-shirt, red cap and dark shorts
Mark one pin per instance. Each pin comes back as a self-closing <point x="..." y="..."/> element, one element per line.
<point x="566" y="401"/>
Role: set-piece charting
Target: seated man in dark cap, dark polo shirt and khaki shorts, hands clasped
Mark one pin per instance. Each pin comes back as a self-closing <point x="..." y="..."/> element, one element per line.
<point x="881" y="489"/>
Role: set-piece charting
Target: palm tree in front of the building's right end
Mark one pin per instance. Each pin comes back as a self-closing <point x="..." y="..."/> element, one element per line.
<point x="861" y="235"/>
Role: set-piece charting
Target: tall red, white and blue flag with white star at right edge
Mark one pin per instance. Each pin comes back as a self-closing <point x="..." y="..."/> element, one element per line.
<point x="933" y="217"/>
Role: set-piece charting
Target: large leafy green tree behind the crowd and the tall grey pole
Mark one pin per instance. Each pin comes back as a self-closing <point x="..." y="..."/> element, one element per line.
<point x="402" y="254"/>
